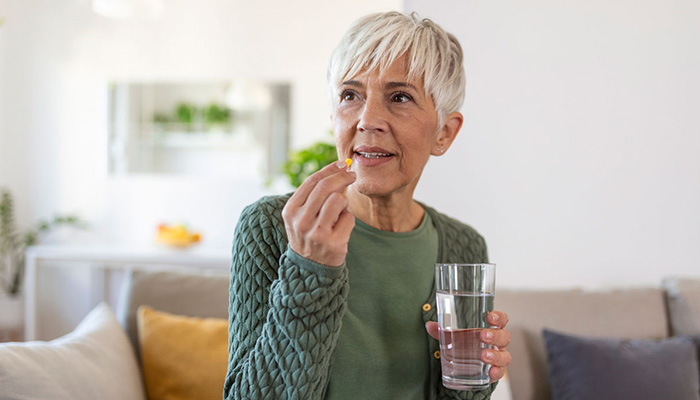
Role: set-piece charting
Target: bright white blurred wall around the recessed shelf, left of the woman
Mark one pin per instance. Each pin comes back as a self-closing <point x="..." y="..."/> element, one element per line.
<point x="57" y="57"/>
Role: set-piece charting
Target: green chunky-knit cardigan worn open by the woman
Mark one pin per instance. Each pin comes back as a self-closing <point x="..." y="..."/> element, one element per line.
<point x="285" y="311"/>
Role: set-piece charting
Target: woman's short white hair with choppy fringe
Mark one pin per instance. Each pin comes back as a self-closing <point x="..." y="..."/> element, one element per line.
<point x="377" y="40"/>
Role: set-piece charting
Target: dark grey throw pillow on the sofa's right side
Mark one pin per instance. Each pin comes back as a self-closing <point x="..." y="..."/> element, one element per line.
<point x="613" y="369"/>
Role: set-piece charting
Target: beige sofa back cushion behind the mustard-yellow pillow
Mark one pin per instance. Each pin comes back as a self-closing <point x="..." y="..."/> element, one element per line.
<point x="203" y="294"/>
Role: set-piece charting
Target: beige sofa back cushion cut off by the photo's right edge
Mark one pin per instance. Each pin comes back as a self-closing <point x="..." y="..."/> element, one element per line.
<point x="683" y="296"/>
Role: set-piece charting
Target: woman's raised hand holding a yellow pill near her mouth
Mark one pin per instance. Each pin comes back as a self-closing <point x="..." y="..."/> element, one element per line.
<point x="316" y="218"/>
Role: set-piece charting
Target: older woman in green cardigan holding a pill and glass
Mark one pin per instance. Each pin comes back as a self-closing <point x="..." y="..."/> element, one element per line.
<point x="332" y="288"/>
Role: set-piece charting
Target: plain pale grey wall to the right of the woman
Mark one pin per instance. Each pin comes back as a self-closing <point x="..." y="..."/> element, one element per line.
<point x="579" y="157"/>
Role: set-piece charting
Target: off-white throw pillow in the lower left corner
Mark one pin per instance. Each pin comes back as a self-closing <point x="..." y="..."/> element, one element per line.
<point x="95" y="361"/>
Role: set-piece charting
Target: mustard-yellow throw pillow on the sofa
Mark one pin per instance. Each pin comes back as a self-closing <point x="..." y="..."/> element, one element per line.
<point x="182" y="357"/>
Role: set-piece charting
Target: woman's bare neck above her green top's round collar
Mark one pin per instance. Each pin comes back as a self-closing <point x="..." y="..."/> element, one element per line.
<point x="393" y="213"/>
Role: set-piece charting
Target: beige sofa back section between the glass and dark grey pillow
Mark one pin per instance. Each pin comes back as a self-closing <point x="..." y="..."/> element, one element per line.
<point x="637" y="313"/>
